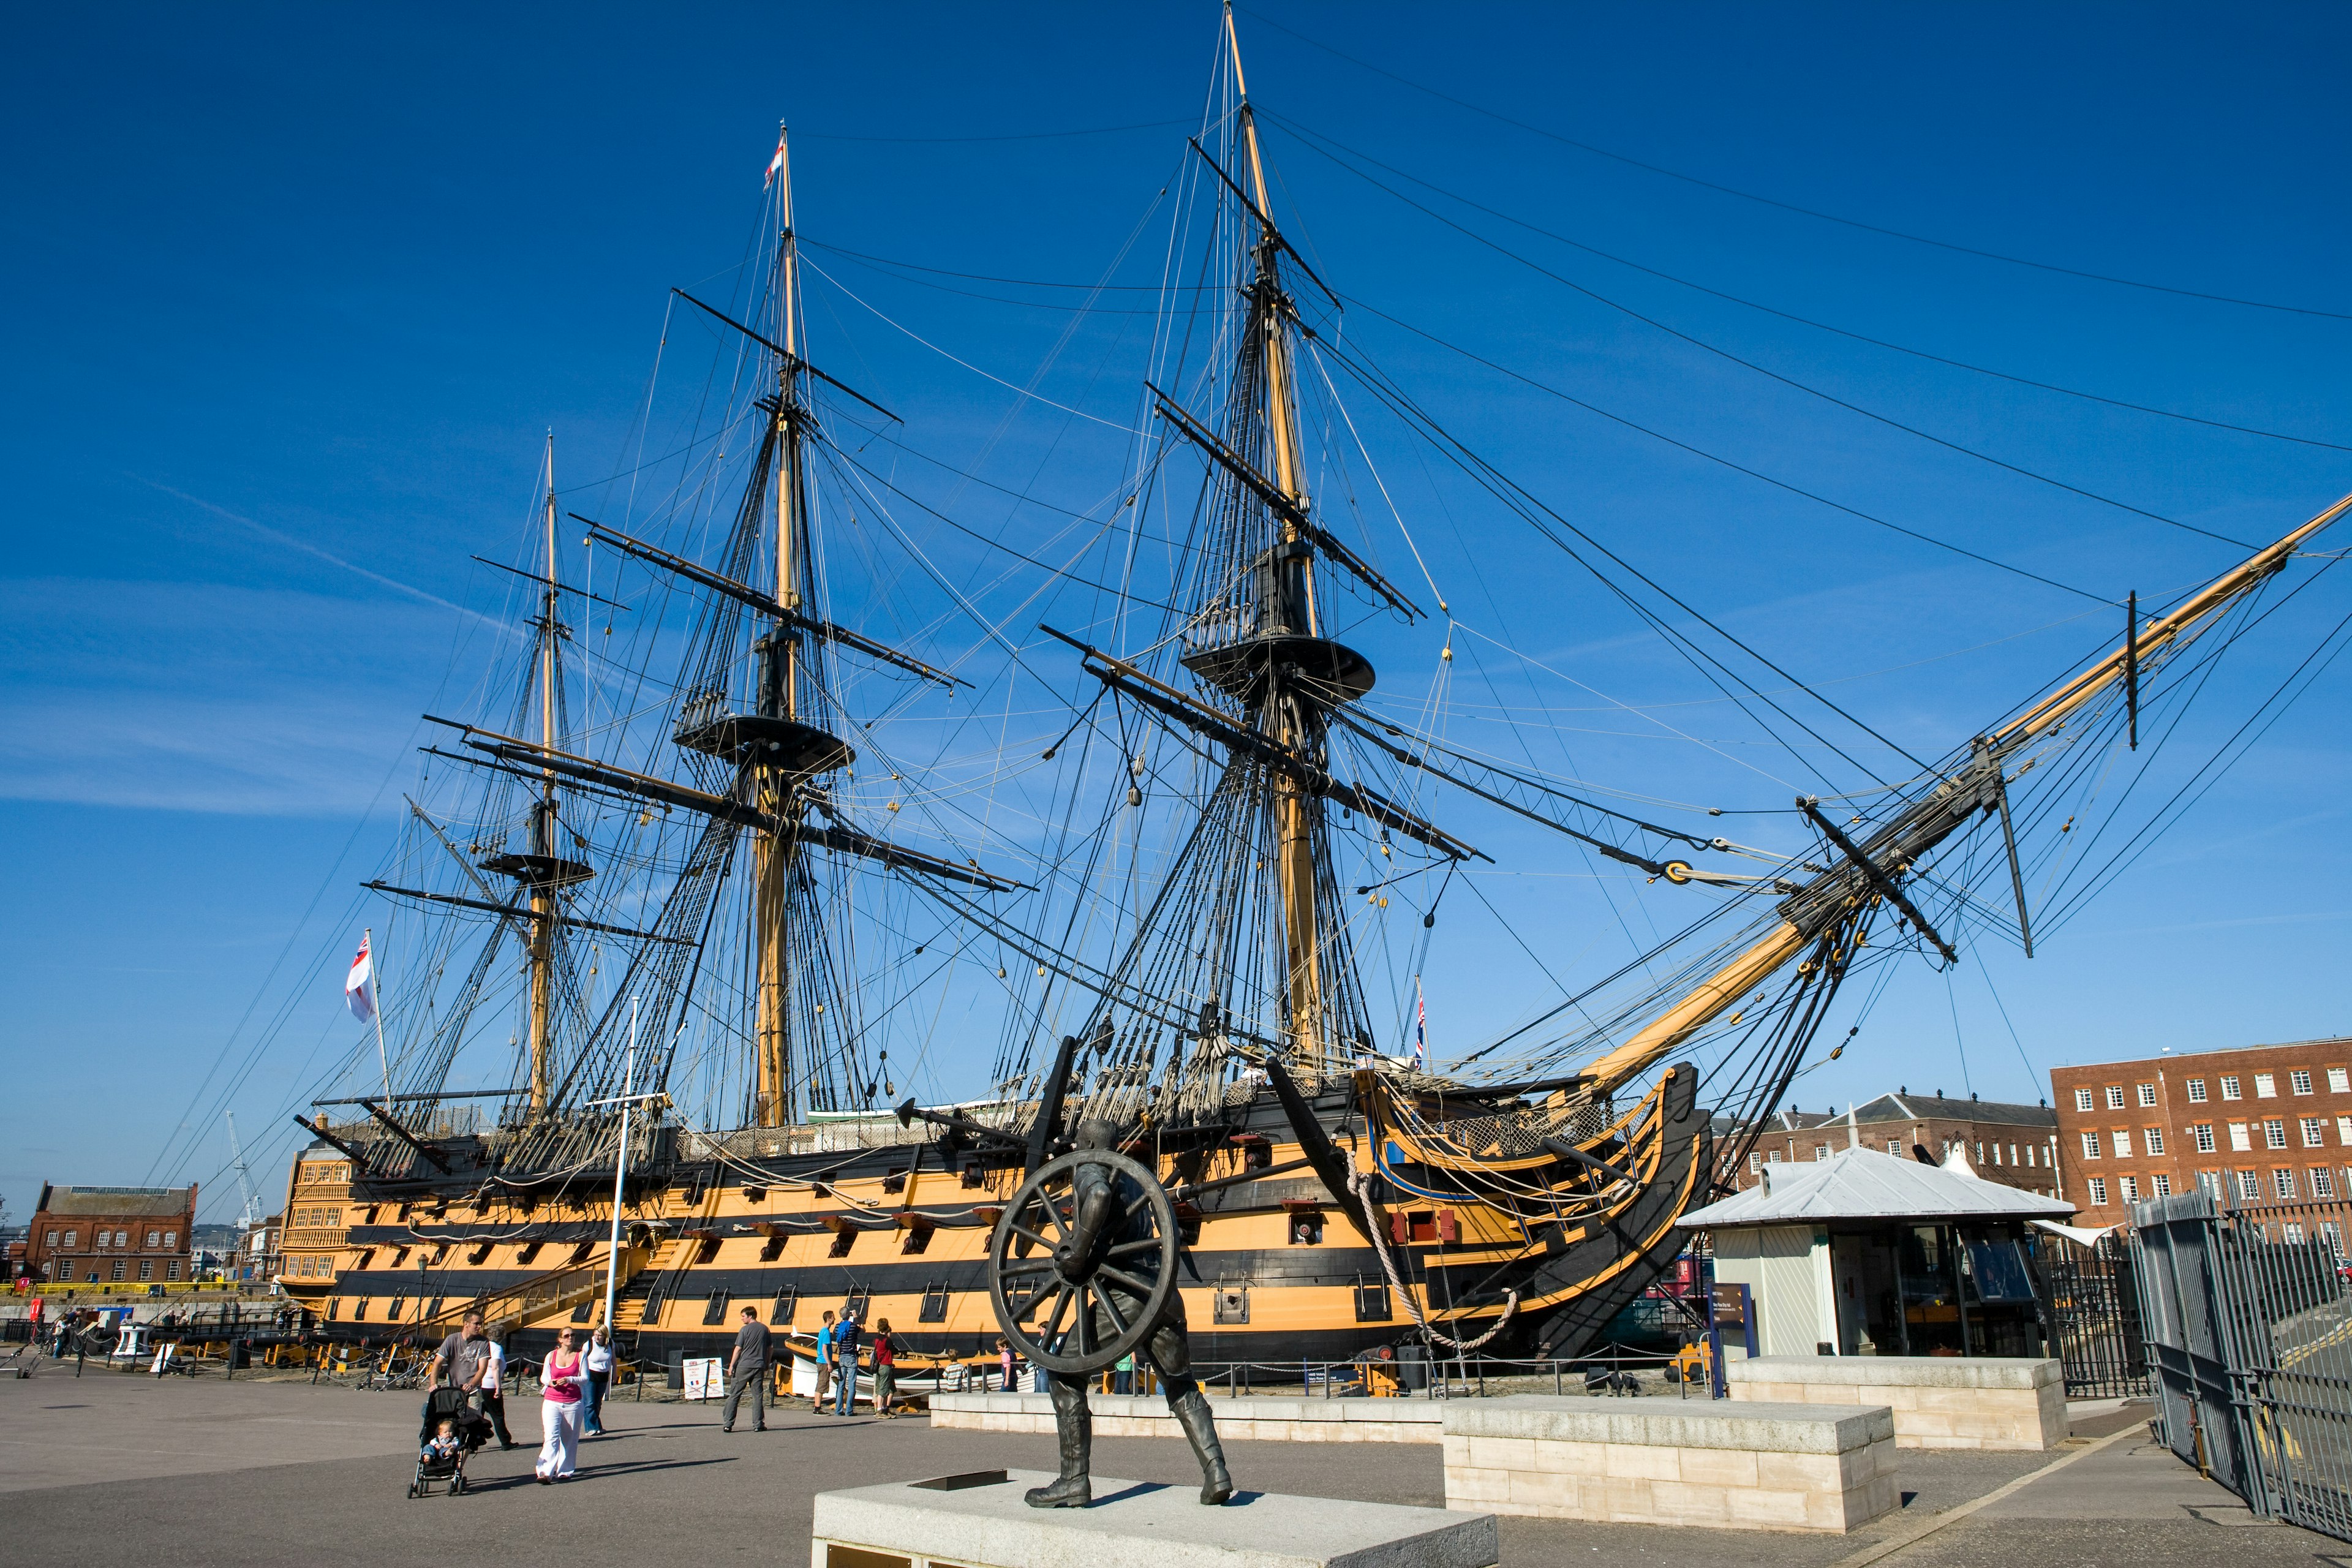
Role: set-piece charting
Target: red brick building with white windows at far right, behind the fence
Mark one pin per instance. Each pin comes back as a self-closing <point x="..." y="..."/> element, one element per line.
<point x="2259" y="1125"/>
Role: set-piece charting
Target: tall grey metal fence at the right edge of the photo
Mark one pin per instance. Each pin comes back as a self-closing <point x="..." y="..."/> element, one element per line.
<point x="2250" y="1339"/>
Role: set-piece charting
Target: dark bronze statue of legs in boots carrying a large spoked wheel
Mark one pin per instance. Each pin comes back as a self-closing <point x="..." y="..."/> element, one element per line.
<point x="1083" y="1273"/>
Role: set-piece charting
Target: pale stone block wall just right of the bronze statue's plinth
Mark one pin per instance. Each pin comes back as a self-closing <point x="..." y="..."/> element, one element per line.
<point x="1716" y="1466"/>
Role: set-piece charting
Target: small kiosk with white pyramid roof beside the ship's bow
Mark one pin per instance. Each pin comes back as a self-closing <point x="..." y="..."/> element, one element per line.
<point x="1871" y="1254"/>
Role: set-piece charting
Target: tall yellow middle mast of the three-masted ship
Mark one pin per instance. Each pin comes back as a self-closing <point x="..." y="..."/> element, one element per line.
<point x="780" y="685"/>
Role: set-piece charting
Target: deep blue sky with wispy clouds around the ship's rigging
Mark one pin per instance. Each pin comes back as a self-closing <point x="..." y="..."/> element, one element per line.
<point x="293" y="300"/>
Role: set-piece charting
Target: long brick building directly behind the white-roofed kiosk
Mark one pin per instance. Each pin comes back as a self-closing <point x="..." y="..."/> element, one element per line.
<point x="2007" y="1144"/>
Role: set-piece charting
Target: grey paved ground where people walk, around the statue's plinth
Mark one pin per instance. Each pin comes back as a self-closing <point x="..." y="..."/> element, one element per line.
<point x="128" y="1470"/>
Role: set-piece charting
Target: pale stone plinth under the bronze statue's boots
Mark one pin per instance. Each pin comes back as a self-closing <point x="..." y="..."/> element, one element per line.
<point x="980" y="1522"/>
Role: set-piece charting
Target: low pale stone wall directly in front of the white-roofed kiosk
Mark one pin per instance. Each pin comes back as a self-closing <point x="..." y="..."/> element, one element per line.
<point x="1939" y="1402"/>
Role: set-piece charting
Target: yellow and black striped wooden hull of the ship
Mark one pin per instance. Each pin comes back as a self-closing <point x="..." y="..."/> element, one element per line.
<point x="1281" y="1271"/>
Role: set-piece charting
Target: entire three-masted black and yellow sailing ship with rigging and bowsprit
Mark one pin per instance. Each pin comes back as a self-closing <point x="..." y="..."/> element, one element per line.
<point x="669" y="899"/>
